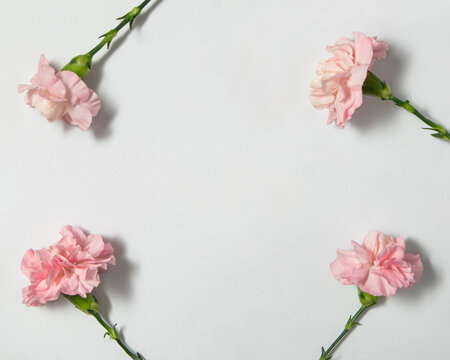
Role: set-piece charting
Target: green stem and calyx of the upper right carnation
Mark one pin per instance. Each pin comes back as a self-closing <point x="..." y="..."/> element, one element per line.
<point x="374" y="86"/>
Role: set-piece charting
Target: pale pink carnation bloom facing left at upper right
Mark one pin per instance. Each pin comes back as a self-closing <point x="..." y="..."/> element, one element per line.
<point x="338" y="84"/>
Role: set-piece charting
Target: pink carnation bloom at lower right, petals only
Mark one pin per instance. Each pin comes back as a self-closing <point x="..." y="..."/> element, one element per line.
<point x="379" y="266"/>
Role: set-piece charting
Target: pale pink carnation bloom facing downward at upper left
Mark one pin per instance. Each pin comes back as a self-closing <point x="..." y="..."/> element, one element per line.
<point x="61" y="95"/>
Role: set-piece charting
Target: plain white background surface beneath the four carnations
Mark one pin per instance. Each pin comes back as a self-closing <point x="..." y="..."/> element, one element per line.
<point x="221" y="188"/>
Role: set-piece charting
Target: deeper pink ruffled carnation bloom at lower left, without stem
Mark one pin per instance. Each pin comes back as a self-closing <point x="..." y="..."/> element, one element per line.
<point x="71" y="266"/>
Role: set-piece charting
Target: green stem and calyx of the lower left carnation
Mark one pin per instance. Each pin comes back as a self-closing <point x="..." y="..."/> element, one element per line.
<point x="89" y="305"/>
